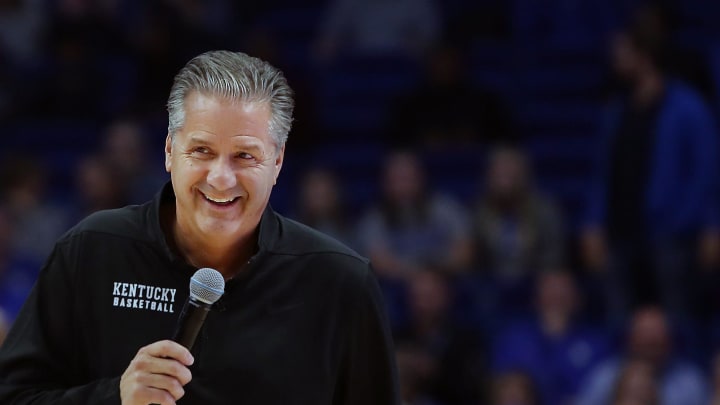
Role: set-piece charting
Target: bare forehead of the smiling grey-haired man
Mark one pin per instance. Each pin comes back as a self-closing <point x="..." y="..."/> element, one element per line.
<point x="215" y="116"/>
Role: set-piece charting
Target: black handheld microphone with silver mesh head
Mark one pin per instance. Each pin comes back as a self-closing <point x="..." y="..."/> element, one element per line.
<point x="206" y="287"/>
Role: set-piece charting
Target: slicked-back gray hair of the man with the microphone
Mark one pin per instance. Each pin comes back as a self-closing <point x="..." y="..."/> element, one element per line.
<point x="238" y="77"/>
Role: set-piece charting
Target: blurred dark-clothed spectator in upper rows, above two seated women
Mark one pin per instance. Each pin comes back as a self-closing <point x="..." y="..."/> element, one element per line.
<point x="447" y="110"/>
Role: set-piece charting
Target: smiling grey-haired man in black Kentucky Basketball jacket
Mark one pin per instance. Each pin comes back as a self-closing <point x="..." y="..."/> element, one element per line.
<point x="301" y="320"/>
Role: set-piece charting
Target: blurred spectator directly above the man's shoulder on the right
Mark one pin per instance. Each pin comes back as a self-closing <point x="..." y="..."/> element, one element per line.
<point x="320" y="205"/>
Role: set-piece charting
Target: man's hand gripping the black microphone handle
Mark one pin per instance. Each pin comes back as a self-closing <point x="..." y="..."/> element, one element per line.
<point x="156" y="375"/>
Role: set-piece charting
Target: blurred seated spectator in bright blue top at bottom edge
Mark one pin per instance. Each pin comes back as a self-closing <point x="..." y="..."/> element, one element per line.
<point x="553" y="346"/>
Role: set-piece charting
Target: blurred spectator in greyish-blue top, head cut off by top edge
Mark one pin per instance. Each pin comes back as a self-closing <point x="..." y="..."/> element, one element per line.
<point x="406" y="27"/>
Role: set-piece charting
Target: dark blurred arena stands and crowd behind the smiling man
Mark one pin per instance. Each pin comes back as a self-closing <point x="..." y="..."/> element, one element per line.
<point x="535" y="181"/>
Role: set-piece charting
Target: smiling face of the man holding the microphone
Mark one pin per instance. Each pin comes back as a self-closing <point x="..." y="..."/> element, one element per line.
<point x="223" y="164"/>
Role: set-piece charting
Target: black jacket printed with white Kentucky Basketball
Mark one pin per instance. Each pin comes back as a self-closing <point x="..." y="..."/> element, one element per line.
<point x="304" y="325"/>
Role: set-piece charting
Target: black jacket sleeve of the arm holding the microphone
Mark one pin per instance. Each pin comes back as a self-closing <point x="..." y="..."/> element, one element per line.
<point x="41" y="359"/>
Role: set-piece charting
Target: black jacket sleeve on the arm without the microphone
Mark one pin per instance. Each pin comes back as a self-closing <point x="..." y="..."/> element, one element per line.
<point x="368" y="374"/>
